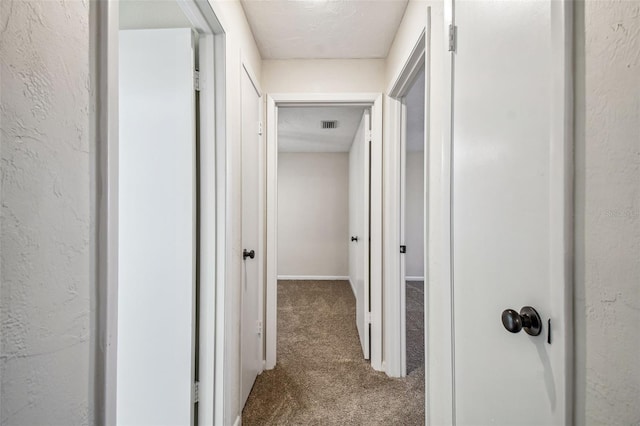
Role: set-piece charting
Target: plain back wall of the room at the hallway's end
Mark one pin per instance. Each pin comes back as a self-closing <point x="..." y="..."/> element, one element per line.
<point x="313" y="214"/>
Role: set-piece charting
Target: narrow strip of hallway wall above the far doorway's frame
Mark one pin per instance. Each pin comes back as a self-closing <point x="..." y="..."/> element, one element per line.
<point x="323" y="75"/>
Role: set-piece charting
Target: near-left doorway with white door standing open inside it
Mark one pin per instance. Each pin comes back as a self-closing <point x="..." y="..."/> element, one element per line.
<point x="157" y="215"/>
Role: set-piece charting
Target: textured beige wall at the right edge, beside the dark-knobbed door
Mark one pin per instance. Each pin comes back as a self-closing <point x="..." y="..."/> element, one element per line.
<point x="607" y="309"/>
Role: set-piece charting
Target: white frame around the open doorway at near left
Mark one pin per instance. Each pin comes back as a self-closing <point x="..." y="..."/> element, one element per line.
<point x="212" y="202"/>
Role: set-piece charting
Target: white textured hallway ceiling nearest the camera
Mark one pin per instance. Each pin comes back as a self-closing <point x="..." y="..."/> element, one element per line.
<point x="324" y="29"/>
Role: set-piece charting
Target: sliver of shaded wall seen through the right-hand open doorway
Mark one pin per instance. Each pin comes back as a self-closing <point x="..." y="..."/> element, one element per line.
<point x="414" y="215"/>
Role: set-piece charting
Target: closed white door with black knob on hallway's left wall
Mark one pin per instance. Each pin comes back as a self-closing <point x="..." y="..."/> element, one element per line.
<point x="251" y="216"/>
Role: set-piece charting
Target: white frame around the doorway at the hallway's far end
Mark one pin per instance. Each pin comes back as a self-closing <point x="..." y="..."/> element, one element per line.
<point x="374" y="100"/>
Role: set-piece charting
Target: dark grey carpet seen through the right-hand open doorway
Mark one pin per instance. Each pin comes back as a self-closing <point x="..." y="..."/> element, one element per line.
<point x="415" y="325"/>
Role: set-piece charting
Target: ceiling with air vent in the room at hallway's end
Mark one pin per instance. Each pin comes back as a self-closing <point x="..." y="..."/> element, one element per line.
<point x="299" y="128"/>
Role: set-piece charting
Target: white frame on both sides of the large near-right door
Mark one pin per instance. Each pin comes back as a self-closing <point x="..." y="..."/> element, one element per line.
<point x="441" y="374"/>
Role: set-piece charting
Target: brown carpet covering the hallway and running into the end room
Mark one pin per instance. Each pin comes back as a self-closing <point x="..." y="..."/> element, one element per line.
<point x="321" y="377"/>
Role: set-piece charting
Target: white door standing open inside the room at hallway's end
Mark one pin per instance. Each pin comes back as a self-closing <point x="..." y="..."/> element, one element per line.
<point x="359" y="161"/>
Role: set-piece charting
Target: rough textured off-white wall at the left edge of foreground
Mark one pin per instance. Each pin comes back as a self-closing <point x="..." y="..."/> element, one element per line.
<point x="44" y="224"/>
